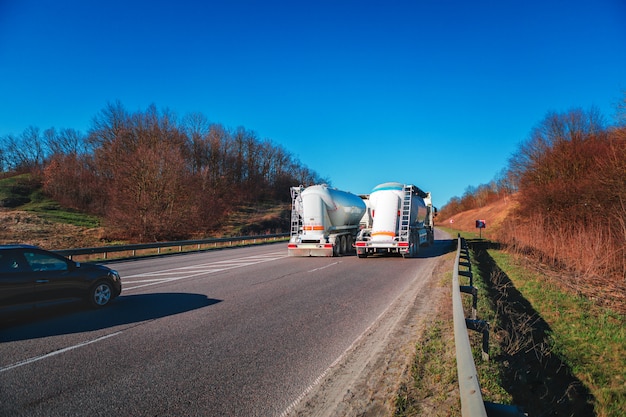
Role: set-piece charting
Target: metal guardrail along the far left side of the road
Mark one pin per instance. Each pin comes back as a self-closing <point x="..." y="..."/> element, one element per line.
<point x="198" y="244"/>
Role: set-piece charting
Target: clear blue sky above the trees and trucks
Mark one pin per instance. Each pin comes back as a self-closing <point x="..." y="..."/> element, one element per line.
<point x="435" y="93"/>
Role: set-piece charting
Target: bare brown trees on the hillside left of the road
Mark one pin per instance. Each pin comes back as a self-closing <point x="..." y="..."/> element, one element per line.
<point x="152" y="177"/>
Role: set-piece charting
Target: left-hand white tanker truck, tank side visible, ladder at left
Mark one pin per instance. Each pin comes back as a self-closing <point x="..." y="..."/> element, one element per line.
<point x="324" y="221"/>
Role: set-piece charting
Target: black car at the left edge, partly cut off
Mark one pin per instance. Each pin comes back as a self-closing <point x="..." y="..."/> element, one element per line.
<point x="30" y="276"/>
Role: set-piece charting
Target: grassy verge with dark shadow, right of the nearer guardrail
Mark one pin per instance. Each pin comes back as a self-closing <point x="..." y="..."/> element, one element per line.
<point x="570" y="349"/>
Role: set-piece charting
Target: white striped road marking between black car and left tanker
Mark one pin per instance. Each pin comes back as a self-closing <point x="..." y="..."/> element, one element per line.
<point x="166" y="275"/>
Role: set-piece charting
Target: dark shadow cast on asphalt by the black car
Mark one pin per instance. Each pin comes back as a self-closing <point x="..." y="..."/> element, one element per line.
<point x="76" y="318"/>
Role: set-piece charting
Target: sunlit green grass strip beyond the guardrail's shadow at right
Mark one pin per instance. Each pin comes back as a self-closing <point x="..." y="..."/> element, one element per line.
<point x="590" y="339"/>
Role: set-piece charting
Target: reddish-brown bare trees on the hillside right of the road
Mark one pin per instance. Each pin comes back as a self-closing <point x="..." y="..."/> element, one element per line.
<point x="569" y="178"/>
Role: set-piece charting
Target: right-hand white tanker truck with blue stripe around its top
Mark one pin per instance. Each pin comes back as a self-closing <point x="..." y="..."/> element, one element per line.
<point x="399" y="219"/>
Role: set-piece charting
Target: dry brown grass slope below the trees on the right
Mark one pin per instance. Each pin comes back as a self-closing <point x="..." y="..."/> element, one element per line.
<point x="574" y="259"/>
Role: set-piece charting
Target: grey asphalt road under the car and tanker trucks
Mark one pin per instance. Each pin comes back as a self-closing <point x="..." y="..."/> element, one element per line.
<point x="234" y="332"/>
